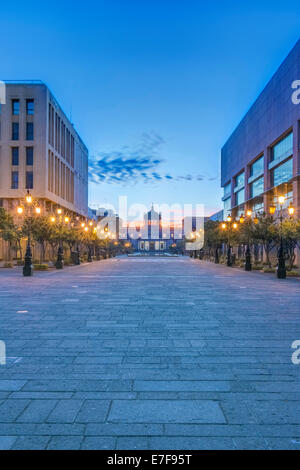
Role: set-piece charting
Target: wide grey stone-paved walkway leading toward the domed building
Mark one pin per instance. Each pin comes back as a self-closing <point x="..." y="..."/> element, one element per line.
<point x="149" y="353"/>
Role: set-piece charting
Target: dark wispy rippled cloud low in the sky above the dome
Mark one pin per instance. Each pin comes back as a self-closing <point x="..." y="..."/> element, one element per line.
<point x="129" y="166"/>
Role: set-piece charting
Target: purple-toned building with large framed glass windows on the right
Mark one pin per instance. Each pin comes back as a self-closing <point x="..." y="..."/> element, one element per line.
<point x="261" y="159"/>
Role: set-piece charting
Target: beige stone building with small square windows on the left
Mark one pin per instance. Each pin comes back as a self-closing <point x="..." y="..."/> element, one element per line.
<point x="40" y="151"/>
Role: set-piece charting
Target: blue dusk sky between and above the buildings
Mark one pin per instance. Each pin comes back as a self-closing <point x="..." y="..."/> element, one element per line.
<point x="154" y="87"/>
